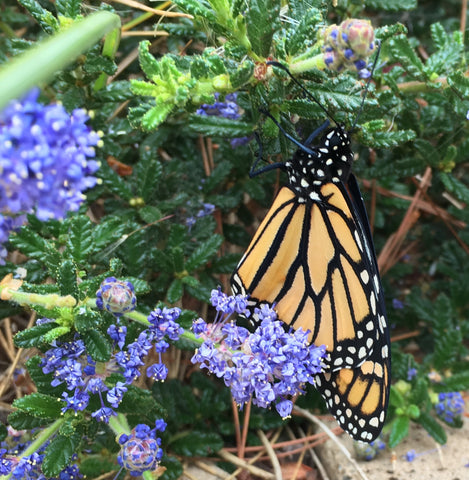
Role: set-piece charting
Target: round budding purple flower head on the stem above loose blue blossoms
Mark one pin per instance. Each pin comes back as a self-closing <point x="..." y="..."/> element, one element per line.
<point x="116" y="296"/>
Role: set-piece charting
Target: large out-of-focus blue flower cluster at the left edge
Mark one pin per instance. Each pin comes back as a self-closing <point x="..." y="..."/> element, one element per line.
<point x="45" y="162"/>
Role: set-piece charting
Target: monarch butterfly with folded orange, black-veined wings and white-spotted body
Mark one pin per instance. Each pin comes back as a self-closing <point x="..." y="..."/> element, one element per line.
<point x="313" y="259"/>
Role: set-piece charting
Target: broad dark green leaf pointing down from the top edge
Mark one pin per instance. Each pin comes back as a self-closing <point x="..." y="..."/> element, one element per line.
<point x="262" y="21"/>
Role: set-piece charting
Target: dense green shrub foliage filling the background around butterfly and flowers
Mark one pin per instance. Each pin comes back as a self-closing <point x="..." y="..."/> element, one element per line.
<point x="414" y="118"/>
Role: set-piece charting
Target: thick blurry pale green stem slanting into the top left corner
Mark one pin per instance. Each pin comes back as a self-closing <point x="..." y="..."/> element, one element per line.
<point x="39" y="64"/>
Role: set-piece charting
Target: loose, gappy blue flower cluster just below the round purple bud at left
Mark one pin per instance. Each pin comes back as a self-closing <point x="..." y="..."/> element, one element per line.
<point x="83" y="377"/>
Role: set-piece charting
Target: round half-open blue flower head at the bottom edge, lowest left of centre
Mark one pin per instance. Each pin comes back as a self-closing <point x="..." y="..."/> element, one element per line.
<point x="141" y="450"/>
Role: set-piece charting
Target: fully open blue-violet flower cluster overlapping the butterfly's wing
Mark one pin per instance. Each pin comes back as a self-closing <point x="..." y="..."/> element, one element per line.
<point x="267" y="366"/>
